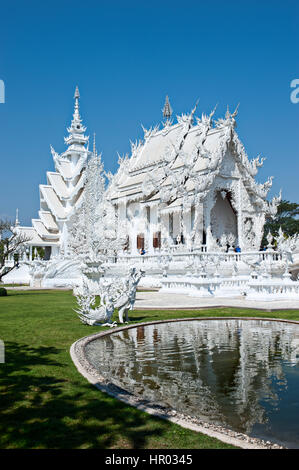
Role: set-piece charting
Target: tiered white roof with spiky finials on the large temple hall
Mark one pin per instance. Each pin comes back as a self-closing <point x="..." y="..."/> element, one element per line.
<point x="183" y="160"/>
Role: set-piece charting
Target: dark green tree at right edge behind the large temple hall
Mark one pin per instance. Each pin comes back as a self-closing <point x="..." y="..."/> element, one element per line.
<point x="287" y="218"/>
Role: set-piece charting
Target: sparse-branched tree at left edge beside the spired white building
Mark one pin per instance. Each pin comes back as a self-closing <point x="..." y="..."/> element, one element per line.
<point x="11" y="245"/>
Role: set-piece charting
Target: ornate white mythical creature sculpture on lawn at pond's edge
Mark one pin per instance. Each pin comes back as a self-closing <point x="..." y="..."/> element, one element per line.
<point x="114" y="293"/>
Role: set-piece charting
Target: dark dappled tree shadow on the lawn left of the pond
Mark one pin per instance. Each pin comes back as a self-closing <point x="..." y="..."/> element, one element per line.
<point x="40" y="410"/>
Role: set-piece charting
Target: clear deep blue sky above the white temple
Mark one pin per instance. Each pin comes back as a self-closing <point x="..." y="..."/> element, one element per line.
<point x="125" y="57"/>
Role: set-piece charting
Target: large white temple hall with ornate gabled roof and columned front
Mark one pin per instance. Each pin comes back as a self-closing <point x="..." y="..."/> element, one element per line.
<point x="191" y="183"/>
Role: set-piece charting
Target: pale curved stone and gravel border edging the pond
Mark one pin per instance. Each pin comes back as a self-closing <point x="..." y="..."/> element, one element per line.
<point x="77" y="352"/>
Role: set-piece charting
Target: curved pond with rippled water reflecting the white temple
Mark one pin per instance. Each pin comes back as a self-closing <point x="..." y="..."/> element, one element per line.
<point x="242" y="374"/>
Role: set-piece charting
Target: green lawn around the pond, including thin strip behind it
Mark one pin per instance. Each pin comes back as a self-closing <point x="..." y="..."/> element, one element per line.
<point x="46" y="403"/>
